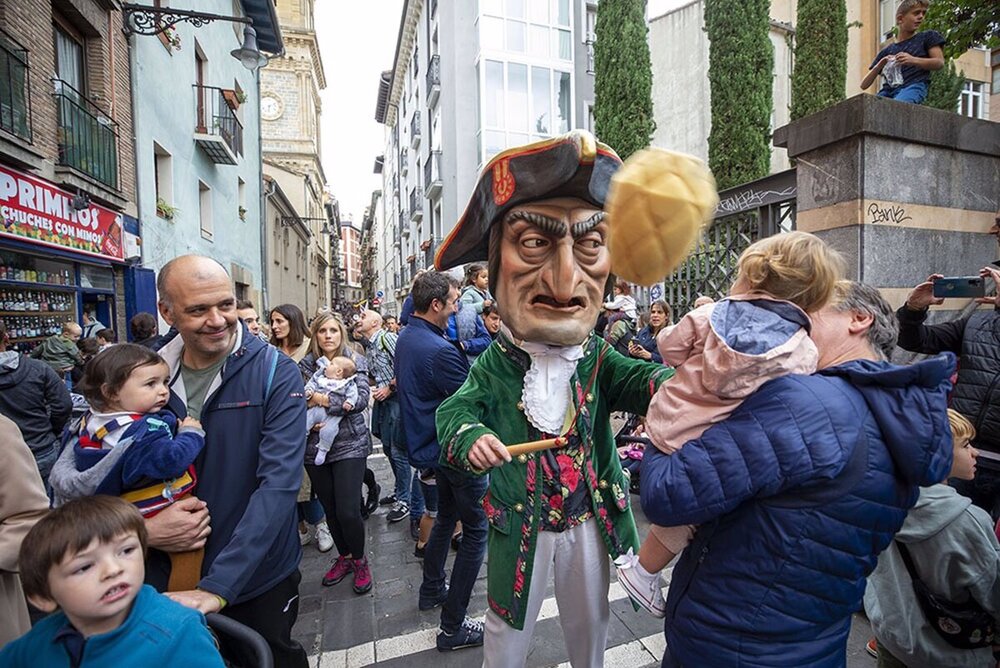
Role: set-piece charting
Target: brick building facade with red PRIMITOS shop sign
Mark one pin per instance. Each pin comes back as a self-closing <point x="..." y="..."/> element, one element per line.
<point x="69" y="229"/>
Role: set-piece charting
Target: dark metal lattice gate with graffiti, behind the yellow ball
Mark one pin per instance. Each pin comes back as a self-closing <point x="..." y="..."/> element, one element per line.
<point x="745" y="214"/>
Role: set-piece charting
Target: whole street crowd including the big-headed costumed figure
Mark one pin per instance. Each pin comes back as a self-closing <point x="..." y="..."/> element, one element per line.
<point x="793" y="475"/>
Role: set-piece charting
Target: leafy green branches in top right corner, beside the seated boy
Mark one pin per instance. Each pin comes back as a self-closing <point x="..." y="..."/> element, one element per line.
<point x="965" y="24"/>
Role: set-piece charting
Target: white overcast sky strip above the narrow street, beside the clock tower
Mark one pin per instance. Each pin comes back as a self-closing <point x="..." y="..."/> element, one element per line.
<point x="357" y="41"/>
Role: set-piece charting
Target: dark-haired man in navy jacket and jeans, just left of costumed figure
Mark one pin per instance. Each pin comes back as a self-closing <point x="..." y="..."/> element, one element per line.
<point x="429" y="369"/>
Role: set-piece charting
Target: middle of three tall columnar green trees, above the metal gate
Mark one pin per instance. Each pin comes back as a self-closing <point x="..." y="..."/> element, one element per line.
<point x="740" y="65"/>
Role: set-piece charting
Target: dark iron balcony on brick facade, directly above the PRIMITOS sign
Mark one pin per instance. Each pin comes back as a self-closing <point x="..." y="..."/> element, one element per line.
<point x="88" y="138"/>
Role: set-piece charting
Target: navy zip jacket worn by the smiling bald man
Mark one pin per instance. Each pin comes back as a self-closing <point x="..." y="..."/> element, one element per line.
<point x="250" y="470"/>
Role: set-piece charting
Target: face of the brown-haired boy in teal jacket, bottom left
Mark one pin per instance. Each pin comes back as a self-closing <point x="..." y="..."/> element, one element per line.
<point x="96" y="586"/>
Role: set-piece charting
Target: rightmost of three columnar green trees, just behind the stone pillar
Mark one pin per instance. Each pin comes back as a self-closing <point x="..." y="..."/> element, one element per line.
<point x="820" y="72"/>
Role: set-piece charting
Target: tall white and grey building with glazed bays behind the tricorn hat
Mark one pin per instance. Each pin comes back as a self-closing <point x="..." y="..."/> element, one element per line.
<point x="469" y="80"/>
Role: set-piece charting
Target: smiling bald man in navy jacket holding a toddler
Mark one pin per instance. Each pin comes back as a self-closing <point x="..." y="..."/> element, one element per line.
<point x="250" y="402"/>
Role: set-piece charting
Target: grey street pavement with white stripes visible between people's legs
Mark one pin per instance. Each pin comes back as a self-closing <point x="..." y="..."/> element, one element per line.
<point x="340" y="629"/>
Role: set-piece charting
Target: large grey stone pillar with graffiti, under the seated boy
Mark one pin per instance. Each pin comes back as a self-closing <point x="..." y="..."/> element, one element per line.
<point x="902" y="190"/>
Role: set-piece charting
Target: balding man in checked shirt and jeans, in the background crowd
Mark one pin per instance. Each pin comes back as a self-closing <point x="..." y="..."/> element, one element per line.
<point x="380" y="349"/>
